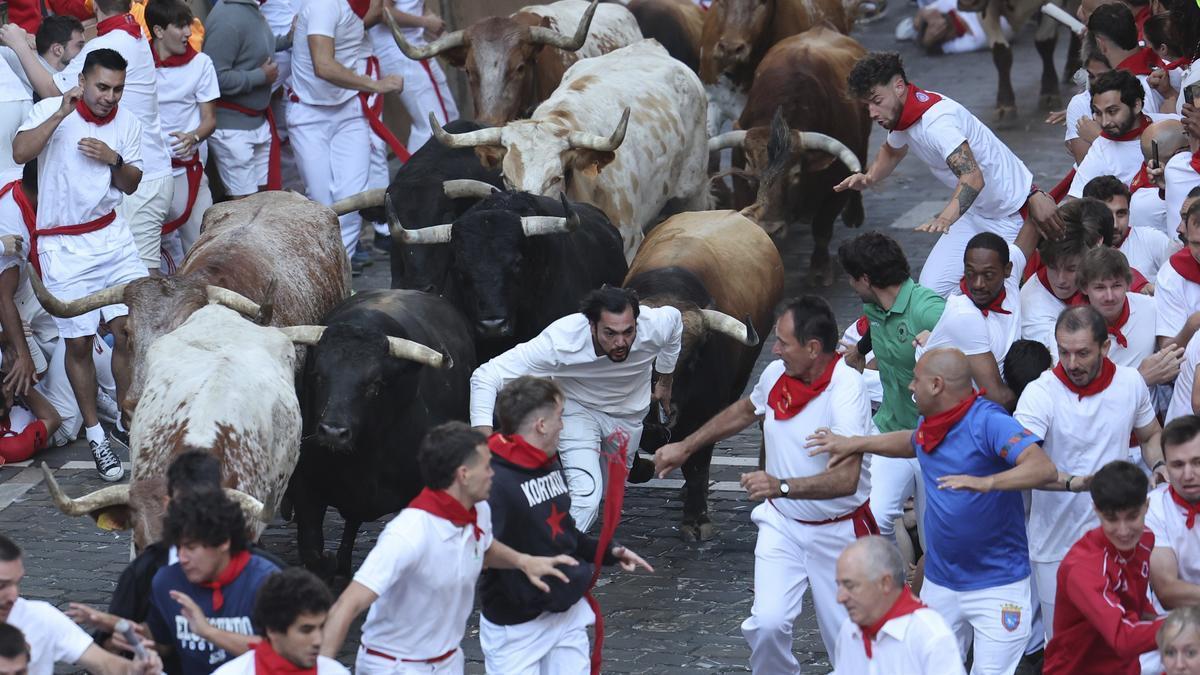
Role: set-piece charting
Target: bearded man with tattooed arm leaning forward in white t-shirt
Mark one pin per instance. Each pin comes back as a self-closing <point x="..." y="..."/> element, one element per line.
<point x="992" y="186"/>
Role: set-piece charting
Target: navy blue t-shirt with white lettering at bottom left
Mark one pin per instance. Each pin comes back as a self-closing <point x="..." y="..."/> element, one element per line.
<point x="169" y="626"/>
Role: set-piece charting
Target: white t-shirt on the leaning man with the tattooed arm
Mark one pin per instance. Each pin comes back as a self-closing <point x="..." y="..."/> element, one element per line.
<point x="941" y="130"/>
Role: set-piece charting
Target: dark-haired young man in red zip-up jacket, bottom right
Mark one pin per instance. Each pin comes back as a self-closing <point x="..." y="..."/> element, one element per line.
<point x="1103" y="618"/>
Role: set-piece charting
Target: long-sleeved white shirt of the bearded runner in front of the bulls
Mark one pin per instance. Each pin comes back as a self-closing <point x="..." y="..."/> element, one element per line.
<point x="565" y="353"/>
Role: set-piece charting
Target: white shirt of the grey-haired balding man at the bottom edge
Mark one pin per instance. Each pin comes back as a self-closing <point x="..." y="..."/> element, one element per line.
<point x="915" y="643"/>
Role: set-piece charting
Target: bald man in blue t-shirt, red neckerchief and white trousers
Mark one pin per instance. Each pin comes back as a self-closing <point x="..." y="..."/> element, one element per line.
<point x="975" y="459"/>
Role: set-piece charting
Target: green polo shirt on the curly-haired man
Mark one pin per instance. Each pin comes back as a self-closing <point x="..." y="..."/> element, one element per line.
<point x="916" y="309"/>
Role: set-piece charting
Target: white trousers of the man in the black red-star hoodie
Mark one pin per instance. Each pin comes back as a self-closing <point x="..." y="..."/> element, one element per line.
<point x="554" y="644"/>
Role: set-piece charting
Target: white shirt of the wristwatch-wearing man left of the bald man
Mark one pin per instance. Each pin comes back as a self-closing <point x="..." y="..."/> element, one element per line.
<point x="844" y="408"/>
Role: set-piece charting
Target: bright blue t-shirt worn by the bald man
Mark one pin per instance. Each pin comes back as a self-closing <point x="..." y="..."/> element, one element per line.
<point x="976" y="541"/>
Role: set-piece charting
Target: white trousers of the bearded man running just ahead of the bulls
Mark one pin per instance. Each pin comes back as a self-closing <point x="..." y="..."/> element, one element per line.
<point x="585" y="439"/>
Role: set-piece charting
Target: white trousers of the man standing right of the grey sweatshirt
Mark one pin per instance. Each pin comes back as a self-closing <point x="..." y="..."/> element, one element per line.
<point x="332" y="150"/>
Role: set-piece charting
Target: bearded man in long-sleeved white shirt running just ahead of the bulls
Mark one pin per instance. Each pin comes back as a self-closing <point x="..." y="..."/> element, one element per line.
<point x="603" y="360"/>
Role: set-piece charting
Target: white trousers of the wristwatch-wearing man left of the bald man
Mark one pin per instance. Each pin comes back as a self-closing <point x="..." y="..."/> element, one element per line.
<point x="789" y="559"/>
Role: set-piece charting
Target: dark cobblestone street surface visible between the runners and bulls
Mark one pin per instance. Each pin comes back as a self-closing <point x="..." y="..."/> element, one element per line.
<point x="686" y="618"/>
